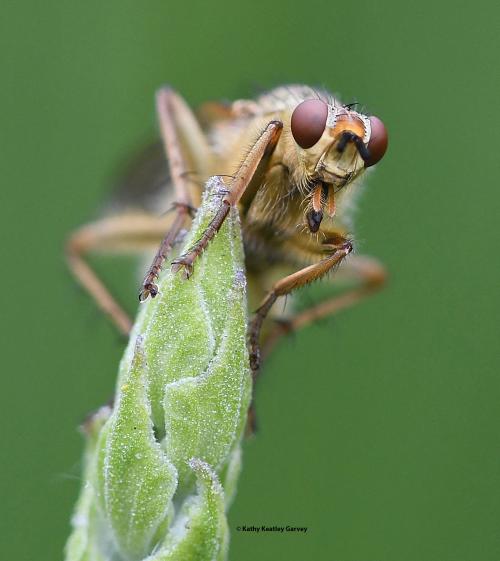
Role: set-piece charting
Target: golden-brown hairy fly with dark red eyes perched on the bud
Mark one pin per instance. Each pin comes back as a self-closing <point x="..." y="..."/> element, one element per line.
<point x="295" y="158"/>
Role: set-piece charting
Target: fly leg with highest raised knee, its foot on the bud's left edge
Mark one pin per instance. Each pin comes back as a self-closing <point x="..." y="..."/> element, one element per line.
<point x="184" y="144"/>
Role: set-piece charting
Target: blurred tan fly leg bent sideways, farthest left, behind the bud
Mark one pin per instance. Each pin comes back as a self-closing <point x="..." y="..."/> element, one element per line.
<point x="130" y="233"/>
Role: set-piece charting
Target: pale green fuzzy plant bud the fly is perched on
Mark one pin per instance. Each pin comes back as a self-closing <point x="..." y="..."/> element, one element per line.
<point x="161" y="470"/>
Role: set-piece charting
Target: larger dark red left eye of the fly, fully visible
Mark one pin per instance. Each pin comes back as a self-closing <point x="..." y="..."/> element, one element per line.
<point x="309" y="122"/>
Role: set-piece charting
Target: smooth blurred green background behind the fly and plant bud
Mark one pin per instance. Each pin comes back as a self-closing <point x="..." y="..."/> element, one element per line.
<point x="379" y="431"/>
